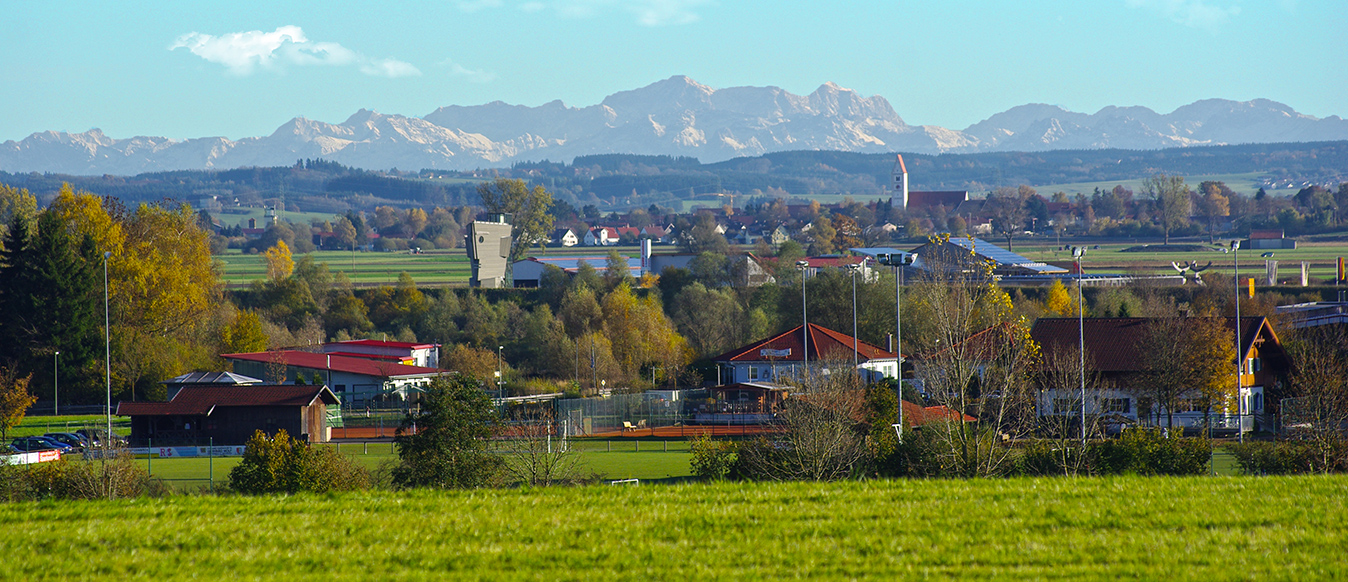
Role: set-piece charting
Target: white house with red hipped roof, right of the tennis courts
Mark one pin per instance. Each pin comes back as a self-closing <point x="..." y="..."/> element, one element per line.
<point x="783" y="358"/>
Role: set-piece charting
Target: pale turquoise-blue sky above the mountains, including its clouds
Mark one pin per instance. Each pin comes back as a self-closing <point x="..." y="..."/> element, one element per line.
<point x="245" y="68"/>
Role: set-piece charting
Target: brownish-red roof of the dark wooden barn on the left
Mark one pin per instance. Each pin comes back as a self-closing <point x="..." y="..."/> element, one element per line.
<point x="203" y="401"/>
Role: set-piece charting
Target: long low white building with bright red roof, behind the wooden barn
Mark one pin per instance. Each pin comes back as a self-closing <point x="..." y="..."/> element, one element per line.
<point x="355" y="381"/>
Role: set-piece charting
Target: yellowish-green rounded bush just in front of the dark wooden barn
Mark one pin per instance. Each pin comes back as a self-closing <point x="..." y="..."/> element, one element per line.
<point x="285" y="465"/>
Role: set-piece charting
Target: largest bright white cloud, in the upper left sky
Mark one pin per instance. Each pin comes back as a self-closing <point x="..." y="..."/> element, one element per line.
<point x="242" y="53"/>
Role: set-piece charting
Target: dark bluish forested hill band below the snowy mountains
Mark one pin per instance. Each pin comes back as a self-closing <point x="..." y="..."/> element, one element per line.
<point x="618" y="181"/>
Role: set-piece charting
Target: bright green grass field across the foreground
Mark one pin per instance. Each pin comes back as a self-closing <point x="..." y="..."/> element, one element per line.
<point x="1044" y="529"/>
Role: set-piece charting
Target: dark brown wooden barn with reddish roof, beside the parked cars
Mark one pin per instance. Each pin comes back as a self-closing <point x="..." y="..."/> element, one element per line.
<point x="230" y="416"/>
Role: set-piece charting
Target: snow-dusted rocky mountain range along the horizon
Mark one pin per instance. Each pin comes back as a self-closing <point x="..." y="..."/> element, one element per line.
<point x="677" y="117"/>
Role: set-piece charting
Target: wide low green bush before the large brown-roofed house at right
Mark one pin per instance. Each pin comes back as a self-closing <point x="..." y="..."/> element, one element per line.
<point x="1148" y="453"/>
